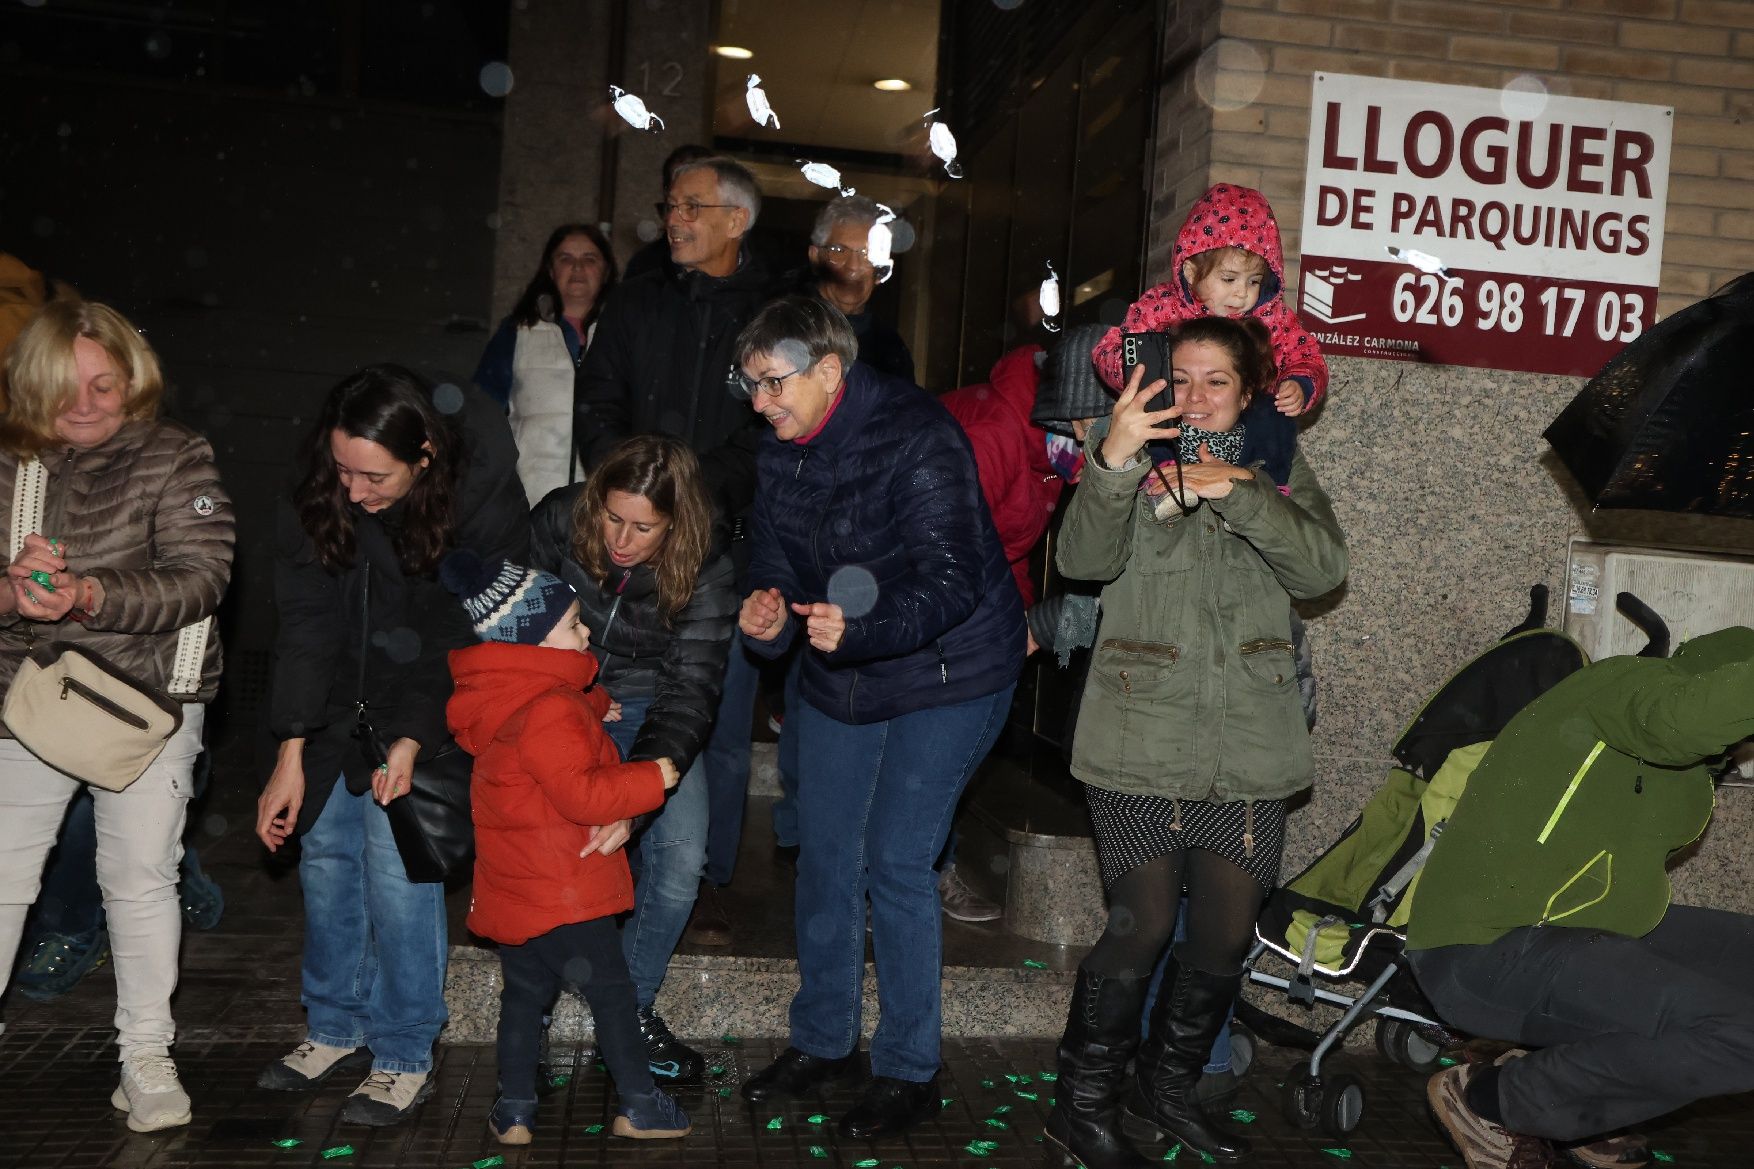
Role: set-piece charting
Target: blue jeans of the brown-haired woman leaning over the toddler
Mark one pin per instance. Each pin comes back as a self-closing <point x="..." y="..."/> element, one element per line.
<point x="673" y="856"/>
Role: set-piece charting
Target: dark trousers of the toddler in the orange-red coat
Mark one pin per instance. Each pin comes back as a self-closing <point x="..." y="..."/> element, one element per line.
<point x="585" y="956"/>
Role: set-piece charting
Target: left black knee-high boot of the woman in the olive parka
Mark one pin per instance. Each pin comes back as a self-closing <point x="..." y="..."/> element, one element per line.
<point x="1102" y="1035"/>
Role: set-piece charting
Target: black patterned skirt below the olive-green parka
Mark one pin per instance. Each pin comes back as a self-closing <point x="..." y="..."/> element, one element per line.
<point x="1134" y="829"/>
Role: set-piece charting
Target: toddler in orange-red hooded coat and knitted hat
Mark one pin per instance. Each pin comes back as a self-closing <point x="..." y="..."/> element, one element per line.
<point x="546" y="773"/>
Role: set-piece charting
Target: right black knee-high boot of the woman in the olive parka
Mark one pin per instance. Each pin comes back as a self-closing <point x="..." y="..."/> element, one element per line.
<point x="1190" y="1012"/>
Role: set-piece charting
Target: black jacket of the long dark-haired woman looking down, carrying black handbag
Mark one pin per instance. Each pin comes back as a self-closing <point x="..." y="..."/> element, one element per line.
<point x="413" y="624"/>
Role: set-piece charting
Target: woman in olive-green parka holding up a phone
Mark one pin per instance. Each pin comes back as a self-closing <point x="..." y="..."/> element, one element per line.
<point x="1192" y="731"/>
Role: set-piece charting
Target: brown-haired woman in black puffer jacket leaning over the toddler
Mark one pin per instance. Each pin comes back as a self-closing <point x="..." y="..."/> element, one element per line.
<point x="655" y="589"/>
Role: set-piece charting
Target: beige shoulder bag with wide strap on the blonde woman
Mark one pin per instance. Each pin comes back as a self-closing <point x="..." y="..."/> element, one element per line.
<point x="76" y="710"/>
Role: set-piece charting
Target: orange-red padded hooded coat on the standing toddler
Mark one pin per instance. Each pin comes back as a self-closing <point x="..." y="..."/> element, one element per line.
<point x="546" y="773"/>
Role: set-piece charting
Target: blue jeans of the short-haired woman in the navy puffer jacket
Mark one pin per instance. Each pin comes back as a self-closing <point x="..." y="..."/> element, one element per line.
<point x="874" y="807"/>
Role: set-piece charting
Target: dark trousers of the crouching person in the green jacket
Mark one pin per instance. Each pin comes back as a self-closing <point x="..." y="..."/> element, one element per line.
<point x="1625" y="1028"/>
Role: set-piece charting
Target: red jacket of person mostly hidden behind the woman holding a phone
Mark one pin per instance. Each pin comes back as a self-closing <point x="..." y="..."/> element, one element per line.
<point x="1011" y="455"/>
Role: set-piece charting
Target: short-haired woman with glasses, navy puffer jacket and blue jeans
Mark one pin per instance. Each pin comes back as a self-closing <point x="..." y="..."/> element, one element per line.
<point x="874" y="550"/>
